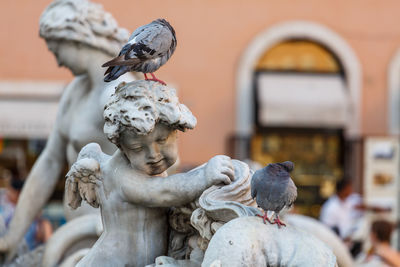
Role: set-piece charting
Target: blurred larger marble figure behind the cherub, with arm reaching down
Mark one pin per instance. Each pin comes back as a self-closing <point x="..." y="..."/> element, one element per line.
<point x="82" y="36"/>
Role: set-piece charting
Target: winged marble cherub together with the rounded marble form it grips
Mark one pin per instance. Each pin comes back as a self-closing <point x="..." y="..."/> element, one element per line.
<point x="205" y="217"/>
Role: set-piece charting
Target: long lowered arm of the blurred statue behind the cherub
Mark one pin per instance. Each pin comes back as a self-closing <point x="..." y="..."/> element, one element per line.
<point x="37" y="189"/>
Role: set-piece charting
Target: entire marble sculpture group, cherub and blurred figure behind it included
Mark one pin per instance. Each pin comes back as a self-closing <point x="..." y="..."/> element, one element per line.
<point x="204" y="217"/>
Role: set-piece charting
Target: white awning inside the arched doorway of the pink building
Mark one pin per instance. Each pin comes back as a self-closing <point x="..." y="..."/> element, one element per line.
<point x="302" y="100"/>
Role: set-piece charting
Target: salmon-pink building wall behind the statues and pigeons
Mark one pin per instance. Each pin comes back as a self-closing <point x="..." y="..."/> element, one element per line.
<point x="211" y="37"/>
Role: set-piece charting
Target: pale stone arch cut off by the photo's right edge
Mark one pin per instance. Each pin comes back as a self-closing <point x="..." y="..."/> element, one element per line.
<point x="394" y="94"/>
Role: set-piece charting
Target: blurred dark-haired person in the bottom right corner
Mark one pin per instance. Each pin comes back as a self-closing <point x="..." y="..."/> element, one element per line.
<point x="381" y="254"/>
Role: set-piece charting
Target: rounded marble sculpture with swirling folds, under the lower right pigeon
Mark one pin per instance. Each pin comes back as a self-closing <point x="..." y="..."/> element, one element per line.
<point x="227" y="233"/>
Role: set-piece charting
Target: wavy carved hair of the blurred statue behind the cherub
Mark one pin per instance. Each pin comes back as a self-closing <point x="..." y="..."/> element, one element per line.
<point x="83" y="22"/>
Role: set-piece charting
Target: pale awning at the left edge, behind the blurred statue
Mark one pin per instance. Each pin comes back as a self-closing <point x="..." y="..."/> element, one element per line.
<point x="28" y="109"/>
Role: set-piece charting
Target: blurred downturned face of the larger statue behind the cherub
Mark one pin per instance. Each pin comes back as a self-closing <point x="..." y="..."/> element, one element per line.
<point x="68" y="54"/>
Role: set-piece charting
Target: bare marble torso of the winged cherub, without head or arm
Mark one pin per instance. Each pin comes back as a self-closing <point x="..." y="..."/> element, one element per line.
<point x="133" y="234"/>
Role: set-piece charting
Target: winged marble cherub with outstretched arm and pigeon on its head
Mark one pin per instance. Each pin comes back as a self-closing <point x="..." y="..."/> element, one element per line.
<point x="131" y="186"/>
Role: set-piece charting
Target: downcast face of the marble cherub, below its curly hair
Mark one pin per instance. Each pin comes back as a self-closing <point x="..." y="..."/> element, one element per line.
<point x="153" y="153"/>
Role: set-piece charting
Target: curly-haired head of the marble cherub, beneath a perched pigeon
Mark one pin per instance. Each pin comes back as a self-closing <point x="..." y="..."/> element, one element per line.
<point x="142" y="118"/>
